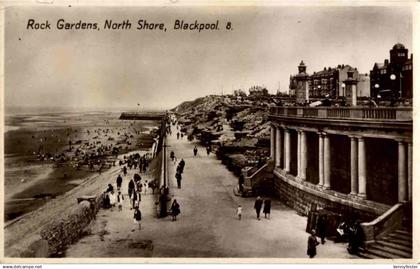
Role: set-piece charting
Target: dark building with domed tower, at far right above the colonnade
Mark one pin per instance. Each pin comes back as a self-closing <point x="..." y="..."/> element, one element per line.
<point x="393" y="78"/>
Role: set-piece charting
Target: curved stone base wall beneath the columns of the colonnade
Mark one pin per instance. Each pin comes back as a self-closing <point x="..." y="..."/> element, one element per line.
<point x="296" y="197"/>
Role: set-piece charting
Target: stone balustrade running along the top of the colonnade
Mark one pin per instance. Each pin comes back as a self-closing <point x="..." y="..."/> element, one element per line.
<point x="376" y="113"/>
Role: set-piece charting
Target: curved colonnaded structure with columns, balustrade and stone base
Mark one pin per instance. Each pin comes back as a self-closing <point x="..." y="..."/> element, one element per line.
<point x="357" y="161"/>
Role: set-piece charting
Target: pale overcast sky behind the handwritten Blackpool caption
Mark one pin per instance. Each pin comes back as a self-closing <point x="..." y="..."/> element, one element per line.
<point x="101" y="69"/>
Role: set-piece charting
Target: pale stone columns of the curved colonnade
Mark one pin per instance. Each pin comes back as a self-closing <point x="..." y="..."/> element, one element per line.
<point x="280" y="149"/>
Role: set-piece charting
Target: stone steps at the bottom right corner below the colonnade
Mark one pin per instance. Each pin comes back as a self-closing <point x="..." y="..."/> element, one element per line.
<point x="397" y="244"/>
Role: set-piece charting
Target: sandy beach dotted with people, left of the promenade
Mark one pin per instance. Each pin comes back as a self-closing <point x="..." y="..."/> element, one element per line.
<point x="46" y="155"/>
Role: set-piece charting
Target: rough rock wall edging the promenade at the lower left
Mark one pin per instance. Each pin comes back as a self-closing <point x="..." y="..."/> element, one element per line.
<point x="67" y="230"/>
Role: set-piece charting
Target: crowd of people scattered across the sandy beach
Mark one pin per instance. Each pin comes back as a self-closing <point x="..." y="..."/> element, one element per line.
<point x="94" y="149"/>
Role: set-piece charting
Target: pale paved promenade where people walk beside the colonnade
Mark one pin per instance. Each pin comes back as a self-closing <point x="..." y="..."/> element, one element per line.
<point x="207" y="226"/>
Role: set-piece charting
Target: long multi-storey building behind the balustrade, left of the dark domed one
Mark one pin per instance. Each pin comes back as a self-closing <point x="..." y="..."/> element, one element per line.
<point x="329" y="82"/>
